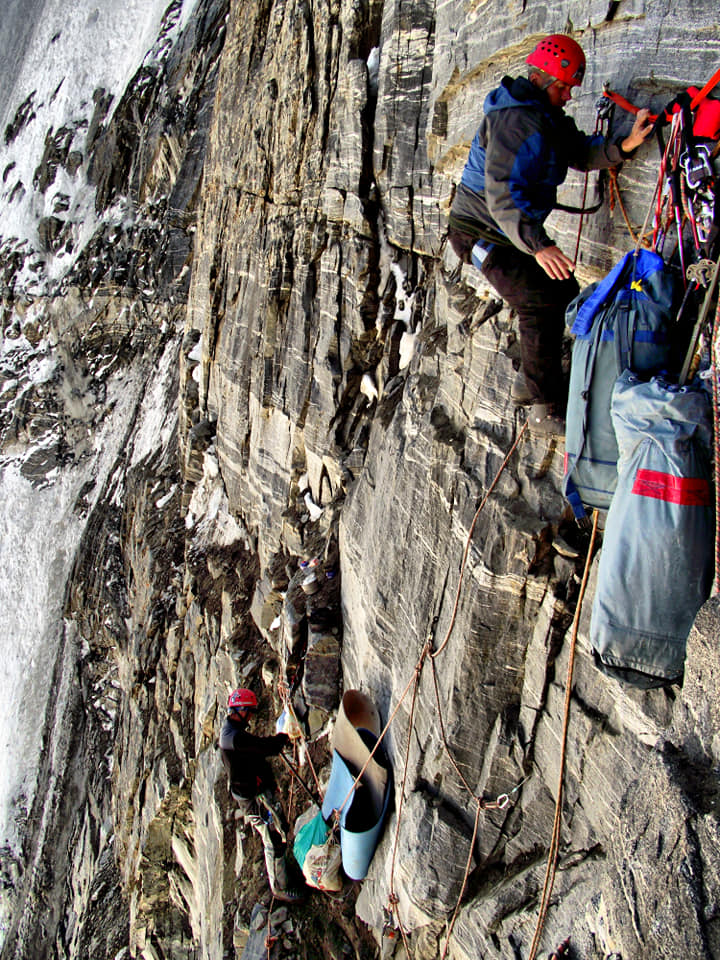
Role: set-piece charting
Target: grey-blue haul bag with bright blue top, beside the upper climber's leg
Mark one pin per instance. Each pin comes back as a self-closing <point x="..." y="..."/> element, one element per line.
<point x="619" y="323"/>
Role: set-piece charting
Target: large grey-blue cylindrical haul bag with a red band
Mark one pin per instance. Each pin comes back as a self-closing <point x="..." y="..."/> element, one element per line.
<point x="656" y="565"/>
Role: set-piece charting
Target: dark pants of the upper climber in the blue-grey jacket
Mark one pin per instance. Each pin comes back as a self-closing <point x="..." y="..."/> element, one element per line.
<point x="540" y="303"/>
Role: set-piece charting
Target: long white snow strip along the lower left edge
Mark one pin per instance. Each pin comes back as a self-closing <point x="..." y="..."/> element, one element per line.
<point x="40" y="531"/>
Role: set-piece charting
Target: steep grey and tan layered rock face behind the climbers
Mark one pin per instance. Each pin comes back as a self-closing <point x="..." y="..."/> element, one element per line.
<point x="333" y="385"/>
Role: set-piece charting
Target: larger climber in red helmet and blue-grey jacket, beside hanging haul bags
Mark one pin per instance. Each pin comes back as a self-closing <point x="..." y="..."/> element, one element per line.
<point x="519" y="156"/>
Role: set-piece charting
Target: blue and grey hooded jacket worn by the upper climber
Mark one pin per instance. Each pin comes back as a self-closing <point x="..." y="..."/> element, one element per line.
<point x="519" y="156"/>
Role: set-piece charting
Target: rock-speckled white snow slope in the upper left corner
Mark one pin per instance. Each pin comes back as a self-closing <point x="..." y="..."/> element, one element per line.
<point x="76" y="50"/>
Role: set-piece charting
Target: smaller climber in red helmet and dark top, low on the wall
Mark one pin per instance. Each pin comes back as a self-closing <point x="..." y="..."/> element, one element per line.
<point x="253" y="786"/>
